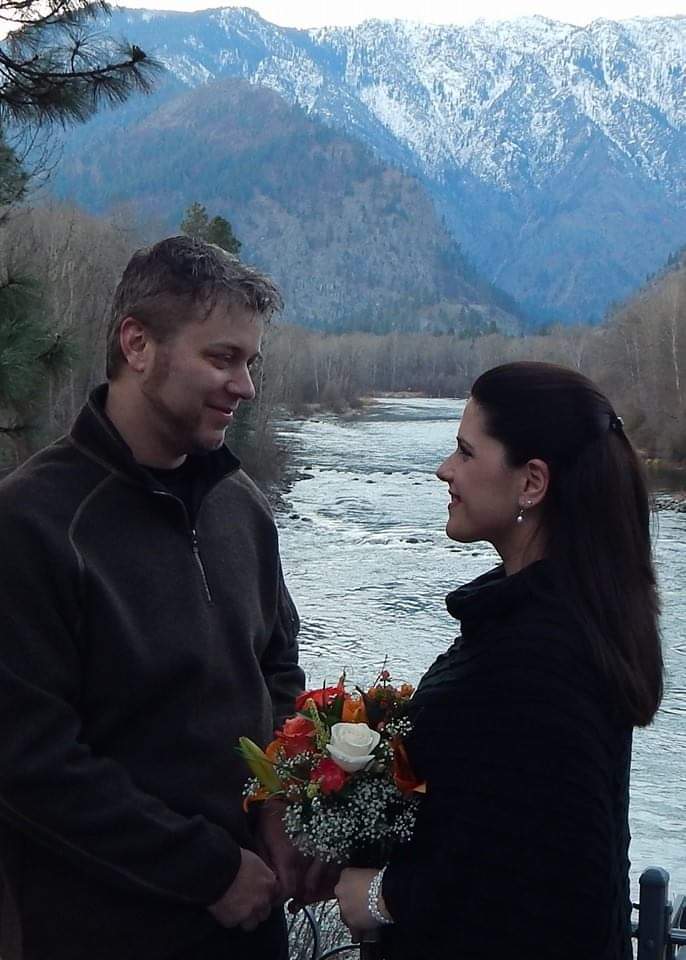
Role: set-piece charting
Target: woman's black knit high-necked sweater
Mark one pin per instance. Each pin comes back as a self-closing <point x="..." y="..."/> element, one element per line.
<point x="521" y="846"/>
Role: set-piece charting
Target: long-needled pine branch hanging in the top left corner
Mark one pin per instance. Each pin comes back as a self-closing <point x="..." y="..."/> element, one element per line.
<point x="53" y="68"/>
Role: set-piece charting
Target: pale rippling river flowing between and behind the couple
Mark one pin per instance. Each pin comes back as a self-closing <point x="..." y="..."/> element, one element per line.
<point x="368" y="564"/>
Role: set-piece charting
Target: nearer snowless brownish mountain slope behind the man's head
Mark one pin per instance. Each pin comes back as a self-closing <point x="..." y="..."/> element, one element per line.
<point x="354" y="243"/>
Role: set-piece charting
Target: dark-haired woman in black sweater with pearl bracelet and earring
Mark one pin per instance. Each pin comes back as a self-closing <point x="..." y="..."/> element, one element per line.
<point x="522" y="730"/>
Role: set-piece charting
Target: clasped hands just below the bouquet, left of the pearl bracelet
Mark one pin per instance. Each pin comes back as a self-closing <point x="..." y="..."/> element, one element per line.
<point x="278" y="873"/>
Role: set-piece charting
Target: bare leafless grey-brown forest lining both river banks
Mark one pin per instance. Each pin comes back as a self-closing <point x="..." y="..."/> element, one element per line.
<point x="638" y="355"/>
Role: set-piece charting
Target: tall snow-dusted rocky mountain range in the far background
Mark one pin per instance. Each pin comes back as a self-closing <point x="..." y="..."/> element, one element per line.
<point x="555" y="154"/>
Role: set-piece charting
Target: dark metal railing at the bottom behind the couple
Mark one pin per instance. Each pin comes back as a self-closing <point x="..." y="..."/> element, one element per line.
<point x="659" y="930"/>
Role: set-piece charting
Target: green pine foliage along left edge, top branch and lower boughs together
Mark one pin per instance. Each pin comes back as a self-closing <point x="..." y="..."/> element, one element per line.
<point x="51" y="69"/>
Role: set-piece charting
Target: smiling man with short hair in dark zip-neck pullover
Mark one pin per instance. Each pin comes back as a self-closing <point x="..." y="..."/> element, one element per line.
<point x="144" y="627"/>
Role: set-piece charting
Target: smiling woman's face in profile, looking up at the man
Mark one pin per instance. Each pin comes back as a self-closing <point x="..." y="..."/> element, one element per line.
<point x="485" y="493"/>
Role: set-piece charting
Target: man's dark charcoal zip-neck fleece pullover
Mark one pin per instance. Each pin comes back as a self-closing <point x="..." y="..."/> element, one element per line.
<point x="134" y="651"/>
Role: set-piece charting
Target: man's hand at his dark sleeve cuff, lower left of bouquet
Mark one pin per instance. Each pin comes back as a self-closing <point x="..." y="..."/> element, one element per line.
<point x="250" y="898"/>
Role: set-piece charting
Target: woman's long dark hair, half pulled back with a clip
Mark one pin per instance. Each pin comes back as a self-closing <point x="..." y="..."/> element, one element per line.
<point x="596" y="516"/>
